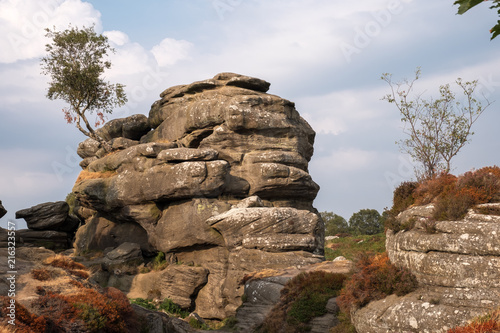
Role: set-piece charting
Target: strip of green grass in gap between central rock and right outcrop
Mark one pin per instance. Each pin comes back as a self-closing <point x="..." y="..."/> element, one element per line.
<point x="349" y="247"/>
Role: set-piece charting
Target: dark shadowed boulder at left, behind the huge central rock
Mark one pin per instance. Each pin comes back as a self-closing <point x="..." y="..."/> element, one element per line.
<point x="49" y="216"/>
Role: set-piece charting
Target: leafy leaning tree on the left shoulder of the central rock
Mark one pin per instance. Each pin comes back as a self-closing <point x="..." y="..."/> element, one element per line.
<point x="76" y="62"/>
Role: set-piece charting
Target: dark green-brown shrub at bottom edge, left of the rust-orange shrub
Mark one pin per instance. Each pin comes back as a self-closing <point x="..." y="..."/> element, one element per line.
<point x="303" y="298"/>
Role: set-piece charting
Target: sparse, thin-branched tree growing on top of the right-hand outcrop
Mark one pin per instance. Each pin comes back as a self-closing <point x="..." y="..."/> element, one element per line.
<point x="436" y="129"/>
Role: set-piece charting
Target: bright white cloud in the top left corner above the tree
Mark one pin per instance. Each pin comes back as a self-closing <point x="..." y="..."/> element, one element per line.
<point x="23" y="24"/>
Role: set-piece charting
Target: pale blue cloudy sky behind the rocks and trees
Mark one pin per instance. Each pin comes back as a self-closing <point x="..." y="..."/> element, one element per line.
<point x="326" y="56"/>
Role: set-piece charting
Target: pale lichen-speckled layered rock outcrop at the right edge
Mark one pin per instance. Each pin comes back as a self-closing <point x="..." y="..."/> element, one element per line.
<point x="457" y="265"/>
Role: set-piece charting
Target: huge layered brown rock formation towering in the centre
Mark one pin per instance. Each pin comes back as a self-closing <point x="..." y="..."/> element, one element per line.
<point x="219" y="184"/>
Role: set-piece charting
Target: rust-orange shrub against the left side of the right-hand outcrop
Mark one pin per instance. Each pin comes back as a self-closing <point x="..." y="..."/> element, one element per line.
<point x="375" y="278"/>
